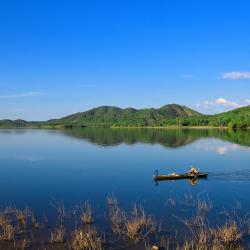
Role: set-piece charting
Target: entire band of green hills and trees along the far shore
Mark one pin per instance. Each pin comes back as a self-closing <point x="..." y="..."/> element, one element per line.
<point x="168" y="115"/>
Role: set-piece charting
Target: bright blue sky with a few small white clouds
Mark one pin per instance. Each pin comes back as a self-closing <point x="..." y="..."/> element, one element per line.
<point x="61" y="57"/>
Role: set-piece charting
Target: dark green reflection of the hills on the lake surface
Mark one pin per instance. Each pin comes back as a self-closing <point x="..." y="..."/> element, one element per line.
<point x="171" y="138"/>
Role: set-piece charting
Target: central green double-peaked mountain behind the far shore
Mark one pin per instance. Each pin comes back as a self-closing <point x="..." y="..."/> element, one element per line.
<point x="108" y="115"/>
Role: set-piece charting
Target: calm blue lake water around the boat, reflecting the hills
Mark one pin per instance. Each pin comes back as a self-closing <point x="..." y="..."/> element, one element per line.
<point x="41" y="168"/>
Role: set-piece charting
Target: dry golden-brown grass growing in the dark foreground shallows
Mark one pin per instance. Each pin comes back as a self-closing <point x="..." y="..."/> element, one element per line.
<point x="130" y="228"/>
